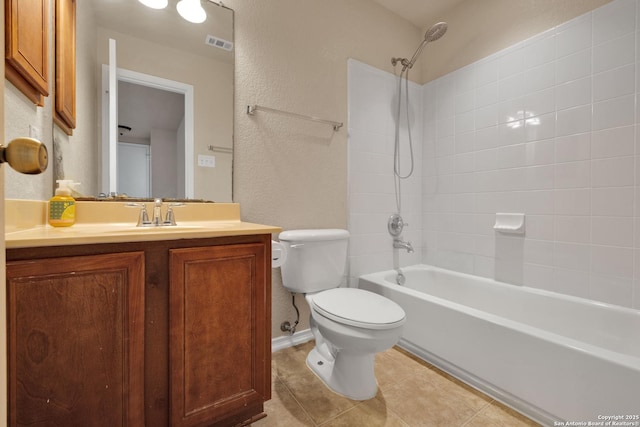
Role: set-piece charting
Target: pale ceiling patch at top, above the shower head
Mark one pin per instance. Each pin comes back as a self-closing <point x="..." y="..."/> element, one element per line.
<point x="421" y="13"/>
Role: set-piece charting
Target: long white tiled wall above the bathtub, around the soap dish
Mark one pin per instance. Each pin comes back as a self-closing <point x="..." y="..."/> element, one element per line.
<point x="547" y="128"/>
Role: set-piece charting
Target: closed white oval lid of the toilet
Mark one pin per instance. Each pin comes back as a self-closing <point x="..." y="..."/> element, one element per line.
<point x="357" y="307"/>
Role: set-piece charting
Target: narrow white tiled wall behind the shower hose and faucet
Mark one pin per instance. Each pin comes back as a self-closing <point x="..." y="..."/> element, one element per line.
<point x="373" y="103"/>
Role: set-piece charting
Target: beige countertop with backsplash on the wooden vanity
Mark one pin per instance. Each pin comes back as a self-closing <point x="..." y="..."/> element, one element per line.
<point x="111" y="222"/>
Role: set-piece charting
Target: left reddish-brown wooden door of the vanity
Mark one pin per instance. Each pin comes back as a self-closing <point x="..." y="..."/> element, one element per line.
<point x="76" y="341"/>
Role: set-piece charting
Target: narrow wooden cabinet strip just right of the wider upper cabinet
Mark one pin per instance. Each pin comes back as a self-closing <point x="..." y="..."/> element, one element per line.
<point x="65" y="95"/>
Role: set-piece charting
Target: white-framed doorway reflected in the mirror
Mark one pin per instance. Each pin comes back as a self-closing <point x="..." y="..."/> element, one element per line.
<point x="148" y="102"/>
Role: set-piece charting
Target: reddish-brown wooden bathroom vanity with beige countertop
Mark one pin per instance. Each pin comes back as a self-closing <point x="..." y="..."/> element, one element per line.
<point x="110" y="324"/>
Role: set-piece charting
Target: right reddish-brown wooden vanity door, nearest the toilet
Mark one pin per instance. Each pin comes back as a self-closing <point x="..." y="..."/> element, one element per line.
<point x="219" y="332"/>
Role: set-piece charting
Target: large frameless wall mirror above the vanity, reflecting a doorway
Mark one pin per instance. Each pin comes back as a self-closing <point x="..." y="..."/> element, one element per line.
<point x="156" y="121"/>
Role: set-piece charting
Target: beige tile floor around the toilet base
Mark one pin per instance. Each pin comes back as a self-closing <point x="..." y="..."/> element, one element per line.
<point x="411" y="392"/>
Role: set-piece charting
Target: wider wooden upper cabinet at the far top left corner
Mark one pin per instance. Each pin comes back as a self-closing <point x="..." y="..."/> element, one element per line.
<point x="27" y="47"/>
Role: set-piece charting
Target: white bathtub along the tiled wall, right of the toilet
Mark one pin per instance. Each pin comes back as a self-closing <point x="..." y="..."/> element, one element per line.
<point x="555" y="358"/>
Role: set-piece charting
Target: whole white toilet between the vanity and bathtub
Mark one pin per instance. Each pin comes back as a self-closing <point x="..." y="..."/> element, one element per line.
<point x="349" y="325"/>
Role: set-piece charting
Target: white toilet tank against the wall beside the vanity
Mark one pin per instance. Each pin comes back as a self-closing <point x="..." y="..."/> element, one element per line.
<point x="316" y="259"/>
